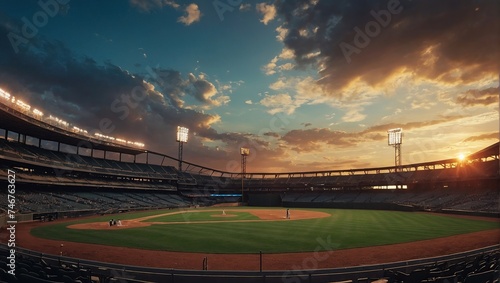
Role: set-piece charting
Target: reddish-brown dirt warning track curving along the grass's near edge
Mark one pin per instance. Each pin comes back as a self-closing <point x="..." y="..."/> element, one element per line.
<point x="288" y="261"/>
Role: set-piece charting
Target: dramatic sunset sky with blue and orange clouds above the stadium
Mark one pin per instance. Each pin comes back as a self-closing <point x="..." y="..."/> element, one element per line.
<point x="306" y="85"/>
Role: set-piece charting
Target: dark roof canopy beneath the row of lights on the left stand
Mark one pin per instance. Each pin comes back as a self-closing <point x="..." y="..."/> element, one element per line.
<point x="20" y="123"/>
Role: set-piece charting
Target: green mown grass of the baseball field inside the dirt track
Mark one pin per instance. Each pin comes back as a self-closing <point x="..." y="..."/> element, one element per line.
<point x="343" y="229"/>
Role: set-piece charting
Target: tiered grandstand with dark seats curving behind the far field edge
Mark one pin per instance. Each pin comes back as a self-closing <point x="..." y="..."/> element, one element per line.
<point x="62" y="173"/>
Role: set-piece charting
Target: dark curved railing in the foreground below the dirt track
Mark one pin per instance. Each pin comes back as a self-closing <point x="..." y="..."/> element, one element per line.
<point x="128" y="273"/>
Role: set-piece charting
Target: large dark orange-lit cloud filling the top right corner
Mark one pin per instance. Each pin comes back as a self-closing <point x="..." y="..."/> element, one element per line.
<point x="452" y="42"/>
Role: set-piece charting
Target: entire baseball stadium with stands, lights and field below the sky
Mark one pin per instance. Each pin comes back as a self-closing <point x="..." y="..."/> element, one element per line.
<point x="90" y="209"/>
